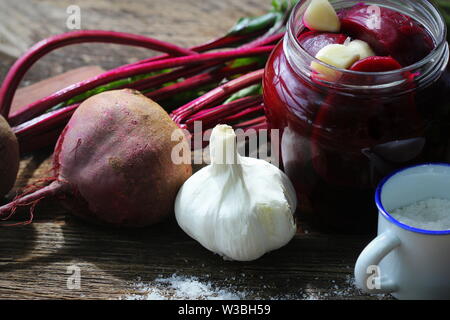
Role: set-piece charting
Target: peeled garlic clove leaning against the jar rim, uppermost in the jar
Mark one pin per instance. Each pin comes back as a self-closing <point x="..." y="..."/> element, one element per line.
<point x="321" y="16"/>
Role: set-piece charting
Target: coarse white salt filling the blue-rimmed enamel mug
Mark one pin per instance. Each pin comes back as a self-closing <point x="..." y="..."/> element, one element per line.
<point x="430" y="214"/>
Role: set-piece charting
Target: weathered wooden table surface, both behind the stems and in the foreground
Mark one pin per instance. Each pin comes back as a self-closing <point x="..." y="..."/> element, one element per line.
<point x="37" y="260"/>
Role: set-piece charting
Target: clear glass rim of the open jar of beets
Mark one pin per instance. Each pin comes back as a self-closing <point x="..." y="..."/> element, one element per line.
<point x="434" y="52"/>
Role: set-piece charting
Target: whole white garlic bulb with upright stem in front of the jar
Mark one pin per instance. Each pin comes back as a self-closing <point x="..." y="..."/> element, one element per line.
<point x="237" y="207"/>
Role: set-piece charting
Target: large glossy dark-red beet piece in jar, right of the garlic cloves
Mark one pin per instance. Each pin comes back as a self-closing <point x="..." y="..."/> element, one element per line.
<point x="388" y="32"/>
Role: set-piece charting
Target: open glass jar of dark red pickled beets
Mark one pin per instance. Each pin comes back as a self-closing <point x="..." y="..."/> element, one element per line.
<point x="342" y="132"/>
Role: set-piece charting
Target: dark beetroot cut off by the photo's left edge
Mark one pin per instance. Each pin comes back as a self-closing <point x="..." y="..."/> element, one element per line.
<point x="9" y="157"/>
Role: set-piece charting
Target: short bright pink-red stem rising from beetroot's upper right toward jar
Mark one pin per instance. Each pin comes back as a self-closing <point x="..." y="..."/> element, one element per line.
<point x="216" y="95"/>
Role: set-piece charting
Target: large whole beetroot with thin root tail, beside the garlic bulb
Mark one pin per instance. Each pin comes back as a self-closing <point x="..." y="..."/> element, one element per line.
<point x="113" y="163"/>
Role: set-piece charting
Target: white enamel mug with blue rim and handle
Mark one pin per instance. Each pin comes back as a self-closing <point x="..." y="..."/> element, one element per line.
<point x="408" y="262"/>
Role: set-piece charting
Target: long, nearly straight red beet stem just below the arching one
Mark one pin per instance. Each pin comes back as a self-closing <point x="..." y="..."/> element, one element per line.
<point x="40" y="106"/>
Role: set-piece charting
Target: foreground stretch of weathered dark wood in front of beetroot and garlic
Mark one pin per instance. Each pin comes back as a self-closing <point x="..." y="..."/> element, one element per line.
<point x="111" y="260"/>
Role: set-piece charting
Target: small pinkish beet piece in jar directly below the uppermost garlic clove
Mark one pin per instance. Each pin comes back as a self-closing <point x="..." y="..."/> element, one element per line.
<point x="313" y="41"/>
